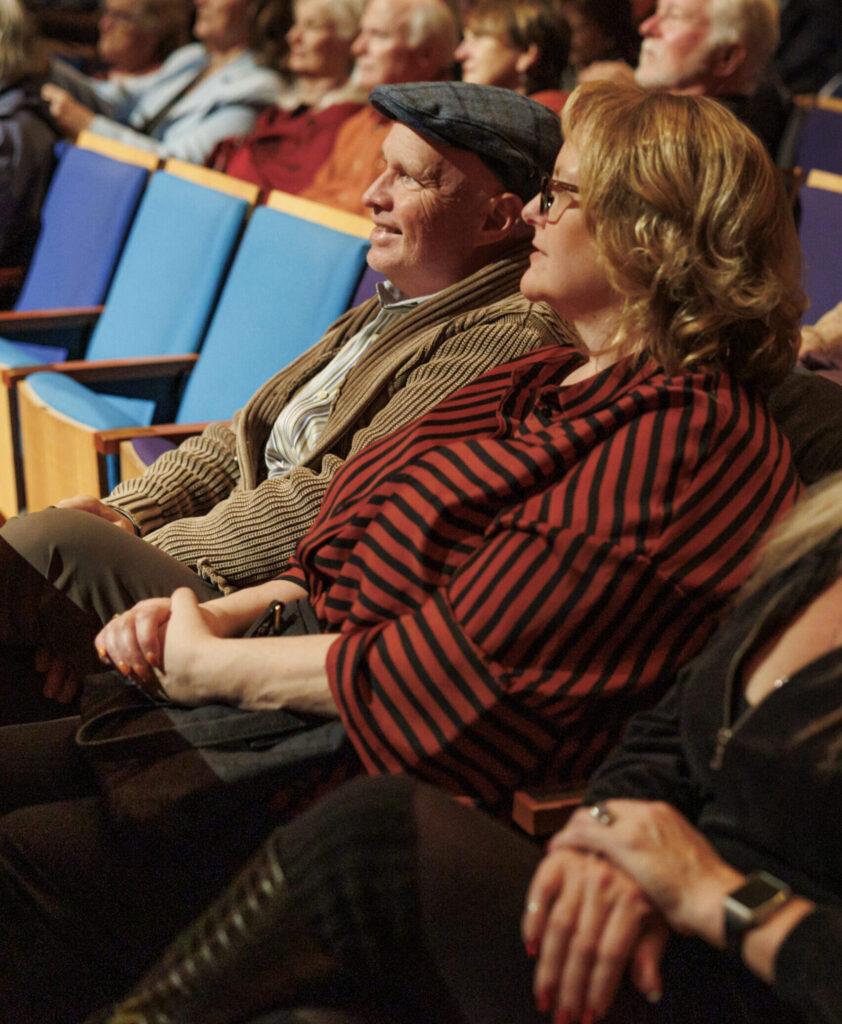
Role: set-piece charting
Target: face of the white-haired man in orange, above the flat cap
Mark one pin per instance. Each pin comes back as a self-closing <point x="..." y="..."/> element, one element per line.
<point x="382" y="50"/>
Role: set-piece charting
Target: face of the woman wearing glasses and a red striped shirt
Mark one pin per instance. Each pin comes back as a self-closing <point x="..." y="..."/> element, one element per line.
<point x="565" y="270"/>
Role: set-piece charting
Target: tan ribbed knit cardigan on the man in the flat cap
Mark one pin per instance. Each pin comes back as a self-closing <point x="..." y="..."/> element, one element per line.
<point x="209" y="504"/>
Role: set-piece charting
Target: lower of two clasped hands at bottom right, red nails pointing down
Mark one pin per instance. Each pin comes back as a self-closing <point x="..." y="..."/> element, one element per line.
<point x="588" y="922"/>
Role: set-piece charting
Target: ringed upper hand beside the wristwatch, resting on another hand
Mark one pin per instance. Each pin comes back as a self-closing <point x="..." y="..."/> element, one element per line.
<point x="672" y="863"/>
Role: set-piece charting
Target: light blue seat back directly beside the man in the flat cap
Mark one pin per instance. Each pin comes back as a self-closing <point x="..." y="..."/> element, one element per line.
<point x="290" y="281"/>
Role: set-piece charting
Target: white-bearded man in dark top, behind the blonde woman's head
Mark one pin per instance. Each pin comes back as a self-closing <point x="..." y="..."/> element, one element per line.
<point x="719" y="49"/>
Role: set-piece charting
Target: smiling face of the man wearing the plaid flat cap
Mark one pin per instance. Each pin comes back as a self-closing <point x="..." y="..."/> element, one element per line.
<point x="429" y="205"/>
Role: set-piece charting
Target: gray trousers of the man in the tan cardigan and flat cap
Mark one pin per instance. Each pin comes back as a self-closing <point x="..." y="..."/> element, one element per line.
<point x="63" y="575"/>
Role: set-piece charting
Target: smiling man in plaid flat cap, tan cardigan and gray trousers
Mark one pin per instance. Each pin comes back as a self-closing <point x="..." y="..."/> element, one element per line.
<point x="227" y="509"/>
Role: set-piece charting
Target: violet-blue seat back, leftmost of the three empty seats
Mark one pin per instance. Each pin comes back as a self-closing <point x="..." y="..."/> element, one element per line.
<point x="85" y="221"/>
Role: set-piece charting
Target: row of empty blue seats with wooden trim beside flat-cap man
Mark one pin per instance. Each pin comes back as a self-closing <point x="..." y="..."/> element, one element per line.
<point x="206" y="296"/>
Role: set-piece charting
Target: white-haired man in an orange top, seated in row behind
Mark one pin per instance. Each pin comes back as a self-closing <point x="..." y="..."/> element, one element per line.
<point x="399" y="41"/>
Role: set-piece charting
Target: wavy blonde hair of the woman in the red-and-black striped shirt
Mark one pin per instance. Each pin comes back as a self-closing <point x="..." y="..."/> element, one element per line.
<point x="694" y="228"/>
